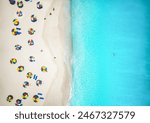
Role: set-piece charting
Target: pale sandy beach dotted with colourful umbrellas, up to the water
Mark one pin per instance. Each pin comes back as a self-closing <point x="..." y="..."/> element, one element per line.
<point x="51" y="50"/>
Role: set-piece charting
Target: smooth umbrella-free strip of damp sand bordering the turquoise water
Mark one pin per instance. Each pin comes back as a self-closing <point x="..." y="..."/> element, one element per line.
<point x="62" y="54"/>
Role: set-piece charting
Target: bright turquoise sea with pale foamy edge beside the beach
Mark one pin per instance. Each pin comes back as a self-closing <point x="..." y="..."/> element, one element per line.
<point x="111" y="47"/>
